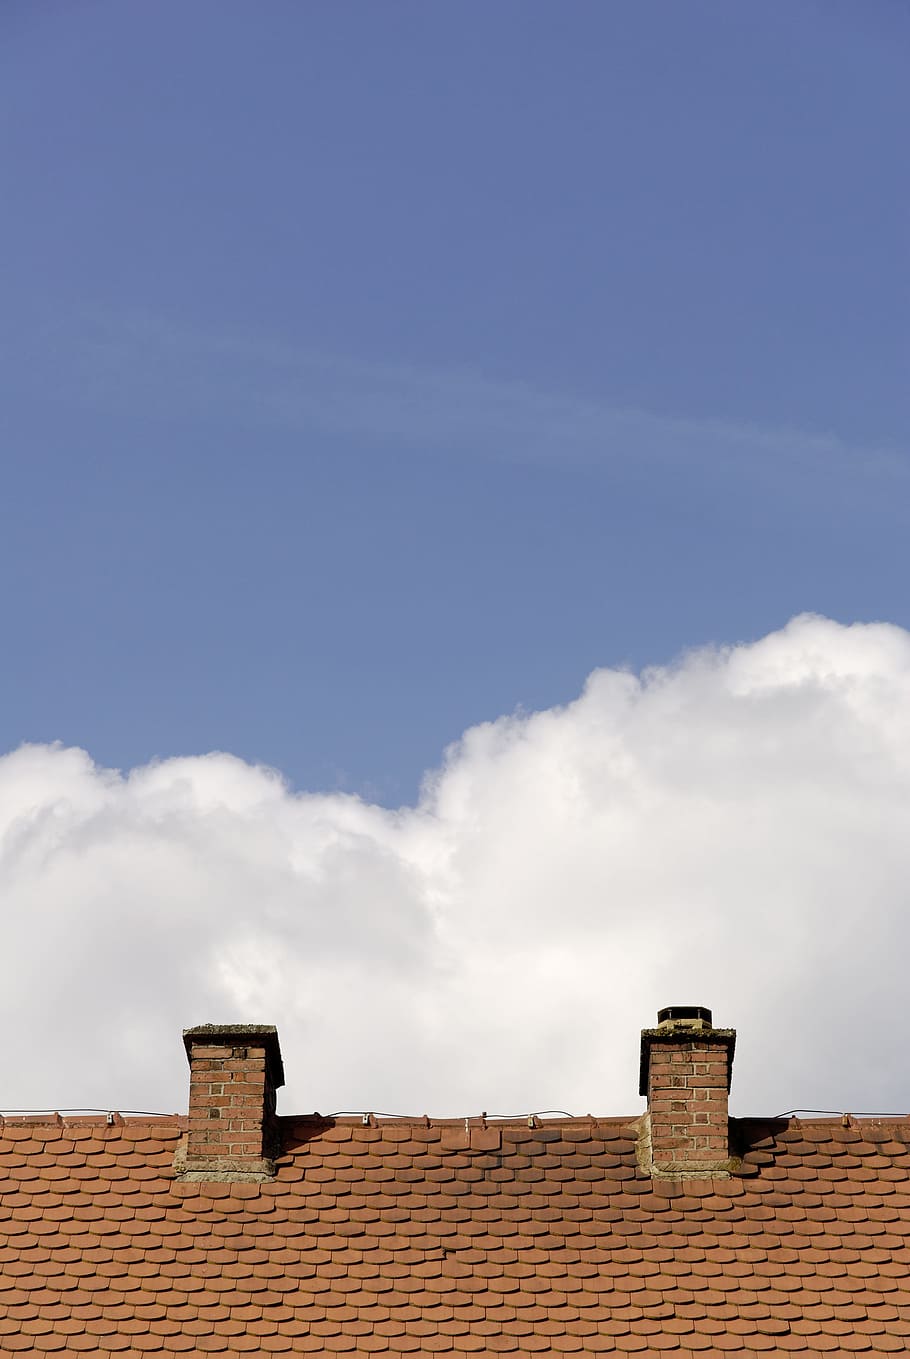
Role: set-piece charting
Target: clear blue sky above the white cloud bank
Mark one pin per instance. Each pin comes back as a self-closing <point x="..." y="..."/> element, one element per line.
<point x="373" y="370"/>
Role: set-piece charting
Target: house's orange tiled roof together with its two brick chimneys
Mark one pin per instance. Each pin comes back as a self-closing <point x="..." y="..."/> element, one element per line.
<point x="238" y="1232"/>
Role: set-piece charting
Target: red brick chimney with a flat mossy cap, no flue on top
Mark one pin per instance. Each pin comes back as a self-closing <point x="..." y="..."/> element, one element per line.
<point x="236" y="1072"/>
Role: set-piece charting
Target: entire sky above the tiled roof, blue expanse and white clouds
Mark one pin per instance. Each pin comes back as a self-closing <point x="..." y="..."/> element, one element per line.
<point x="454" y="544"/>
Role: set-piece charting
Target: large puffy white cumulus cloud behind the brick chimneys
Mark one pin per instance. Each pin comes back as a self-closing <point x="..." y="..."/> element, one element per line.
<point x="730" y="831"/>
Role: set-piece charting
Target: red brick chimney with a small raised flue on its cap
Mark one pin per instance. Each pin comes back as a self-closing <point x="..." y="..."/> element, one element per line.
<point x="687" y="1070"/>
